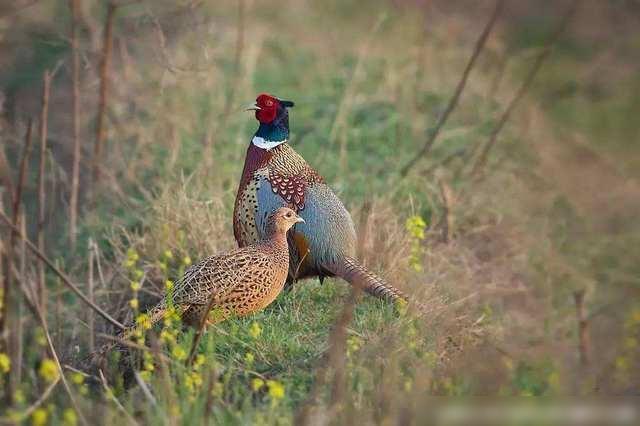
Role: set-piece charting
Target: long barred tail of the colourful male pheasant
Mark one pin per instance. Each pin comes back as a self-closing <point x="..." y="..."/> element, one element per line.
<point x="357" y="275"/>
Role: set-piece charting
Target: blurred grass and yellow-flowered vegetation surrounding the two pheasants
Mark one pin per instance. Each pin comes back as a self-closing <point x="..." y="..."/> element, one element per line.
<point x="520" y="250"/>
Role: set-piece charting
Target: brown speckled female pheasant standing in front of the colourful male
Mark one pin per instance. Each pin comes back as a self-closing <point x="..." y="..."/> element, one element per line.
<point x="240" y="282"/>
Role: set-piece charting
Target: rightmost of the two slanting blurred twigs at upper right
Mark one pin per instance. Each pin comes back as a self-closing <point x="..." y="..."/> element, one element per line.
<point x="526" y="84"/>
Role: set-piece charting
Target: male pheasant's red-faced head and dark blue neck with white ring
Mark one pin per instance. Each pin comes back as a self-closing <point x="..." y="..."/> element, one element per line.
<point x="273" y="116"/>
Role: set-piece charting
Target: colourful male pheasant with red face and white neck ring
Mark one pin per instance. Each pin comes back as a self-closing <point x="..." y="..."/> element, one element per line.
<point x="275" y="175"/>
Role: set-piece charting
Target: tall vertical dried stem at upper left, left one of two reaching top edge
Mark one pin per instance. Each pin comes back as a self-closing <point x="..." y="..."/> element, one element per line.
<point x="75" y="171"/>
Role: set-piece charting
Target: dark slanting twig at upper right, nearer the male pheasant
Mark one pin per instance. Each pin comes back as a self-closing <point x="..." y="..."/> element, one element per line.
<point x="453" y="102"/>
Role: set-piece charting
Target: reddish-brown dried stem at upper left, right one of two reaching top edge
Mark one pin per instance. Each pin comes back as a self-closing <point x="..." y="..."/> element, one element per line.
<point x="107" y="48"/>
